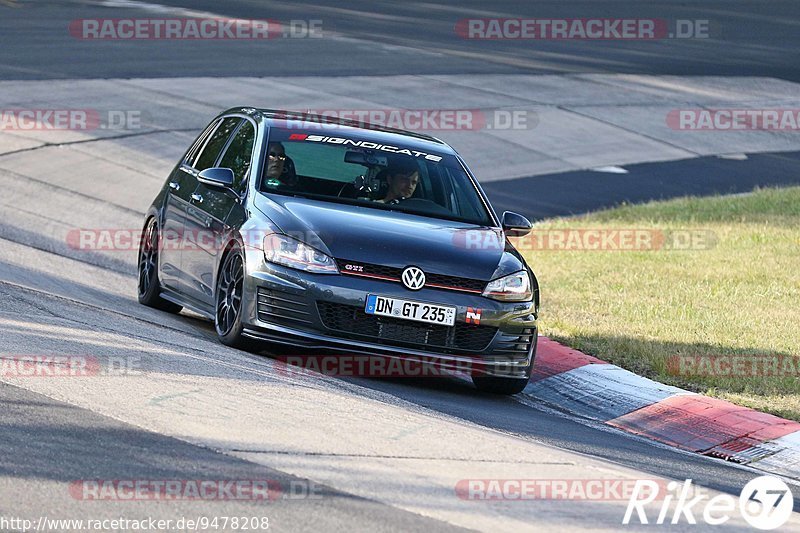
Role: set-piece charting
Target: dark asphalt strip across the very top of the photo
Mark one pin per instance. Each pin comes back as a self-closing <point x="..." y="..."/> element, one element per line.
<point x="746" y="38"/>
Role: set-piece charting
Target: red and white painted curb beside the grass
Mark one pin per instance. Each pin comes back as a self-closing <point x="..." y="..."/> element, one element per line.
<point x="591" y="388"/>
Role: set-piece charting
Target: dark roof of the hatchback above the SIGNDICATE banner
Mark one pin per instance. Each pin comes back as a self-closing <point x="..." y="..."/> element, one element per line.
<point x="301" y="121"/>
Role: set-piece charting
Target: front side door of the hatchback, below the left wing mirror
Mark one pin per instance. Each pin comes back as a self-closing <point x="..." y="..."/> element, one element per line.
<point x="205" y="217"/>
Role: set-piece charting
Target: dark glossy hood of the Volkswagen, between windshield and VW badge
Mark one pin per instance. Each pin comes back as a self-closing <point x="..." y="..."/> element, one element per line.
<point x="392" y="238"/>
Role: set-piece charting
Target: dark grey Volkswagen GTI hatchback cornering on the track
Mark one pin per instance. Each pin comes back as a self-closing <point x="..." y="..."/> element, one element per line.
<point x="325" y="234"/>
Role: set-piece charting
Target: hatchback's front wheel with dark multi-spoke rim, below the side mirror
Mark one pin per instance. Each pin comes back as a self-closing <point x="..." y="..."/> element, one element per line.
<point x="228" y="301"/>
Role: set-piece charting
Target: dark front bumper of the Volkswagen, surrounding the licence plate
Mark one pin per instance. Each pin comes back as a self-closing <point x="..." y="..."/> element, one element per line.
<point x="326" y="312"/>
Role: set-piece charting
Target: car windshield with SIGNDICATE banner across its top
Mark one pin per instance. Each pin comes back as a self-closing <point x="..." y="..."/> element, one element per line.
<point x="380" y="176"/>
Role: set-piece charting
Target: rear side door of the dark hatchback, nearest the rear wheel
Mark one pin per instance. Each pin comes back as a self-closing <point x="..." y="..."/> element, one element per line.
<point x="182" y="183"/>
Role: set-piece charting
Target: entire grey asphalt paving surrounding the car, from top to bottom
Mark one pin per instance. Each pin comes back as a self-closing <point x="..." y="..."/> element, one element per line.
<point x="347" y="453"/>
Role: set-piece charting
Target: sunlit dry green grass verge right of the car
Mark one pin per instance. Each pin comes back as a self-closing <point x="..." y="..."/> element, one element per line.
<point x="636" y="309"/>
